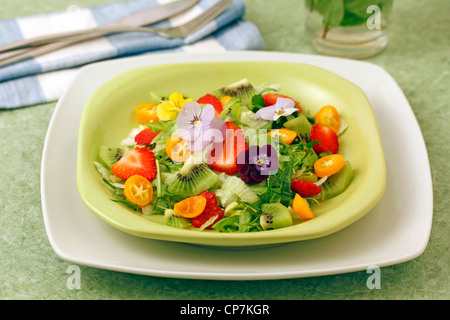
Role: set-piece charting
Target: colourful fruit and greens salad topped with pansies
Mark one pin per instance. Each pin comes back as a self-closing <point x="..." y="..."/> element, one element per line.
<point x="238" y="159"/>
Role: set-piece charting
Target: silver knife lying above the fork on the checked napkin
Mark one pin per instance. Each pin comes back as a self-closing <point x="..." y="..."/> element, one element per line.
<point x="137" y="19"/>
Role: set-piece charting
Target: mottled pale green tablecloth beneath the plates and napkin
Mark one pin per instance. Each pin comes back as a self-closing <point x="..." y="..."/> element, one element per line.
<point x="417" y="58"/>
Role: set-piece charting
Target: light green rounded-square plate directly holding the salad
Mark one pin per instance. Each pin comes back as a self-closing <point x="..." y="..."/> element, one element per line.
<point x="108" y="116"/>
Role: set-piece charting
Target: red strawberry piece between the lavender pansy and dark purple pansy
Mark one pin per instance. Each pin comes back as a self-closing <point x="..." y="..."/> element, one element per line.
<point x="224" y="154"/>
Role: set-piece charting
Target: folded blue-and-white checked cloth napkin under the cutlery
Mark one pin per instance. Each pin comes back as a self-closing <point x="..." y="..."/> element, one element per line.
<point x="43" y="79"/>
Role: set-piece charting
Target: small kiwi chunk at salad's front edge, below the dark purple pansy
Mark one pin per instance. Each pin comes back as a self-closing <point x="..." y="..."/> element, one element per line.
<point x="275" y="216"/>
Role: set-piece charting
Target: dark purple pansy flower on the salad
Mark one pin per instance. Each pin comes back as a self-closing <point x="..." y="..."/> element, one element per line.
<point x="256" y="163"/>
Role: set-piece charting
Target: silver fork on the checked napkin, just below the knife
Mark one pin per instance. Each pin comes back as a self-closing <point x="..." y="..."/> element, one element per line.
<point x="180" y="31"/>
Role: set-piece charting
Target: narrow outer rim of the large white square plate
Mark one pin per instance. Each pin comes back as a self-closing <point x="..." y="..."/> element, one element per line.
<point x="228" y="55"/>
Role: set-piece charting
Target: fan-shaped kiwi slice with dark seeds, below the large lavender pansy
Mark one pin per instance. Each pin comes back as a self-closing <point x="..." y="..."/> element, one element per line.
<point x="191" y="180"/>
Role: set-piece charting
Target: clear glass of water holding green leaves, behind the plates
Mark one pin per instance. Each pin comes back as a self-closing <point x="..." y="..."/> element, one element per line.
<point x="348" y="28"/>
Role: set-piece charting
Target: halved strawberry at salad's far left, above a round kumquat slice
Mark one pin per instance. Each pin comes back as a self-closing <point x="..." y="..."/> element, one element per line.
<point x="137" y="161"/>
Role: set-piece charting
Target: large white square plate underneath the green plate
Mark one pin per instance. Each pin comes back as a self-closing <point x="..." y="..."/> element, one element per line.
<point x="395" y="231"/>
